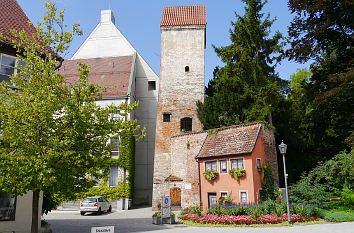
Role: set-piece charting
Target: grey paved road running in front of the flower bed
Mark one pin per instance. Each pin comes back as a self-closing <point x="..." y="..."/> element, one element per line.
<point x="139" y="220"/>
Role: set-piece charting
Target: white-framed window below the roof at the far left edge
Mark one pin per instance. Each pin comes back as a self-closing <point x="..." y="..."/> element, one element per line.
<point x="7" y="67"/>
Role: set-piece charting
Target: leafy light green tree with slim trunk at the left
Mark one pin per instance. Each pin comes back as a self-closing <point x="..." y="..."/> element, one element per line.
<point x="53" y="135"/>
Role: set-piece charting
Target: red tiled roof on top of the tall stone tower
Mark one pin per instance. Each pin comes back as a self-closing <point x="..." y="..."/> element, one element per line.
<point x="183" y="15"/>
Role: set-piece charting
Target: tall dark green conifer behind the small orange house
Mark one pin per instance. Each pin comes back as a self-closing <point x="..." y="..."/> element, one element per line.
<point x="247" y="88"/>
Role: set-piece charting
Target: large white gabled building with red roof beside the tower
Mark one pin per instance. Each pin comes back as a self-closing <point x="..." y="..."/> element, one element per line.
<point x="117" y="65"/>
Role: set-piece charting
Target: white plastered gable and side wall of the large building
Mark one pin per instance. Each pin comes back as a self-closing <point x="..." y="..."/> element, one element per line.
<point x="107" y="41"/>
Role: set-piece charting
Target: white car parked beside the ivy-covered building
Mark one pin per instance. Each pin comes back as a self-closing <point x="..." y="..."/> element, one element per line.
<point x="95" y="204"/>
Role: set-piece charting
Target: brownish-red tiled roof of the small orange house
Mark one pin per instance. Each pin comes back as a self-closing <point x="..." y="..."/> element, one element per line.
<point x="239" y="139"/>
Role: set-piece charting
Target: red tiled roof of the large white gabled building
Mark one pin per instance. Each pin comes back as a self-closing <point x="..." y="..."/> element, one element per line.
<point x="112" y="73"/>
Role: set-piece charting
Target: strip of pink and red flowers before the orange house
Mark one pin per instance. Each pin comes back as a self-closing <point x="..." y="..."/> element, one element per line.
<point x="244" y="219"/>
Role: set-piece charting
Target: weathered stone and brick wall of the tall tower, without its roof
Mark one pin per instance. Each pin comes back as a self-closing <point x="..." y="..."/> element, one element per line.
<point x="179" y="90"/>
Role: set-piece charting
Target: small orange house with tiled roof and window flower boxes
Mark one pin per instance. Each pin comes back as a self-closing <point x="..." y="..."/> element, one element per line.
<point x="243" y="147"/>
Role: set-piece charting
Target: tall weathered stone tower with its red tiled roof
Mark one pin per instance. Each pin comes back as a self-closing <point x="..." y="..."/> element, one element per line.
<point x="183" y="32"/>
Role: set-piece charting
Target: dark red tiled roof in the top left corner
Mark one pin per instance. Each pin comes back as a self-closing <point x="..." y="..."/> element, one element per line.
<point x="13" y="17"/>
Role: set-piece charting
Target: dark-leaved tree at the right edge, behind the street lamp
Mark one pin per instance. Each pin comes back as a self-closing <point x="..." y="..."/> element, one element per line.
<point x="322" y="31"/>
